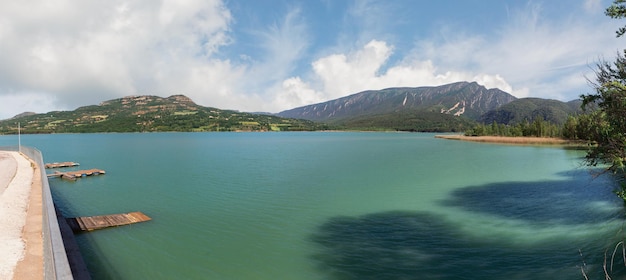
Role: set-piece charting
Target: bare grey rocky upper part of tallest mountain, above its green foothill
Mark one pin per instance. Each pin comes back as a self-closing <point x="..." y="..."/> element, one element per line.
<point x="459" y="99"/>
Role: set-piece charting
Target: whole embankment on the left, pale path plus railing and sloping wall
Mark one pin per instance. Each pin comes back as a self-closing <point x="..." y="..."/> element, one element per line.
<point x="35" y="243"/>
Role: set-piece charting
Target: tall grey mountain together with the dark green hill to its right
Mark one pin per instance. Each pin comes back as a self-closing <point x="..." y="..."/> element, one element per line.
<point x="451" y="107"/>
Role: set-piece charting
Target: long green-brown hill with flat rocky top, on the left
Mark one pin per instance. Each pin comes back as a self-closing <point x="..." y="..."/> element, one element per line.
<point x="150" y="113"/>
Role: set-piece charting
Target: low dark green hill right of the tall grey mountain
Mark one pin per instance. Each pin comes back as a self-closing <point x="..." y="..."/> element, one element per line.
<point x="529" y="109"/>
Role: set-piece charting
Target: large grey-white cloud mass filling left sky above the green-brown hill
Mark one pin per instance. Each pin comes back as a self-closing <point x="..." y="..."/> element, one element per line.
<point x="75" y="54"/>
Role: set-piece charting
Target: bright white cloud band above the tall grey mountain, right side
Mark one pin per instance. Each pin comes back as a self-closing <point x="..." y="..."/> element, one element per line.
<point x="530" y="55"/>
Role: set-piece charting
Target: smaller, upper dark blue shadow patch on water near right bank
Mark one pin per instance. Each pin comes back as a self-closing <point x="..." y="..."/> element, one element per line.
<point x="576" y="201"/>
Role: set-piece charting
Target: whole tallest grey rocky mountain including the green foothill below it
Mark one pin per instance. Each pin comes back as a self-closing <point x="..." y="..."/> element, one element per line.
<point x="452" y="107"/>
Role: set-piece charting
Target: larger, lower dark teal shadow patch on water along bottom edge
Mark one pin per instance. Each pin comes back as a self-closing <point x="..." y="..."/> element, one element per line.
<point x="405" y="245"/>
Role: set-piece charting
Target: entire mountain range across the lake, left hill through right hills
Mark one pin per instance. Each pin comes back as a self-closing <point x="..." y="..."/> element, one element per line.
<point x="453" y="107"/>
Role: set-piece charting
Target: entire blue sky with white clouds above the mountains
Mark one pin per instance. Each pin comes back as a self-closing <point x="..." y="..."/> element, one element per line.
<point x="274" y="55"/>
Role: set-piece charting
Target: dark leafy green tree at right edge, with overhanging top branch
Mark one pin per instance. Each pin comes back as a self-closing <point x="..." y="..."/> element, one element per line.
<point x="609" y="122"/>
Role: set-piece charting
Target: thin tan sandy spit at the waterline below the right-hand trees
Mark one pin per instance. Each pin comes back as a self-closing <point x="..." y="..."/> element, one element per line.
<point x="514" y="140"/>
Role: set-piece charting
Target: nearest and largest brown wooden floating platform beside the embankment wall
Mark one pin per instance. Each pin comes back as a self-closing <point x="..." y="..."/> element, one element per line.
<point x="99" y="222"/>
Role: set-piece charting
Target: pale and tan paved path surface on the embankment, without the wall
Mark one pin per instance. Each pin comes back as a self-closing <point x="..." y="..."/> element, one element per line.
<point x="20" y="224"/>
